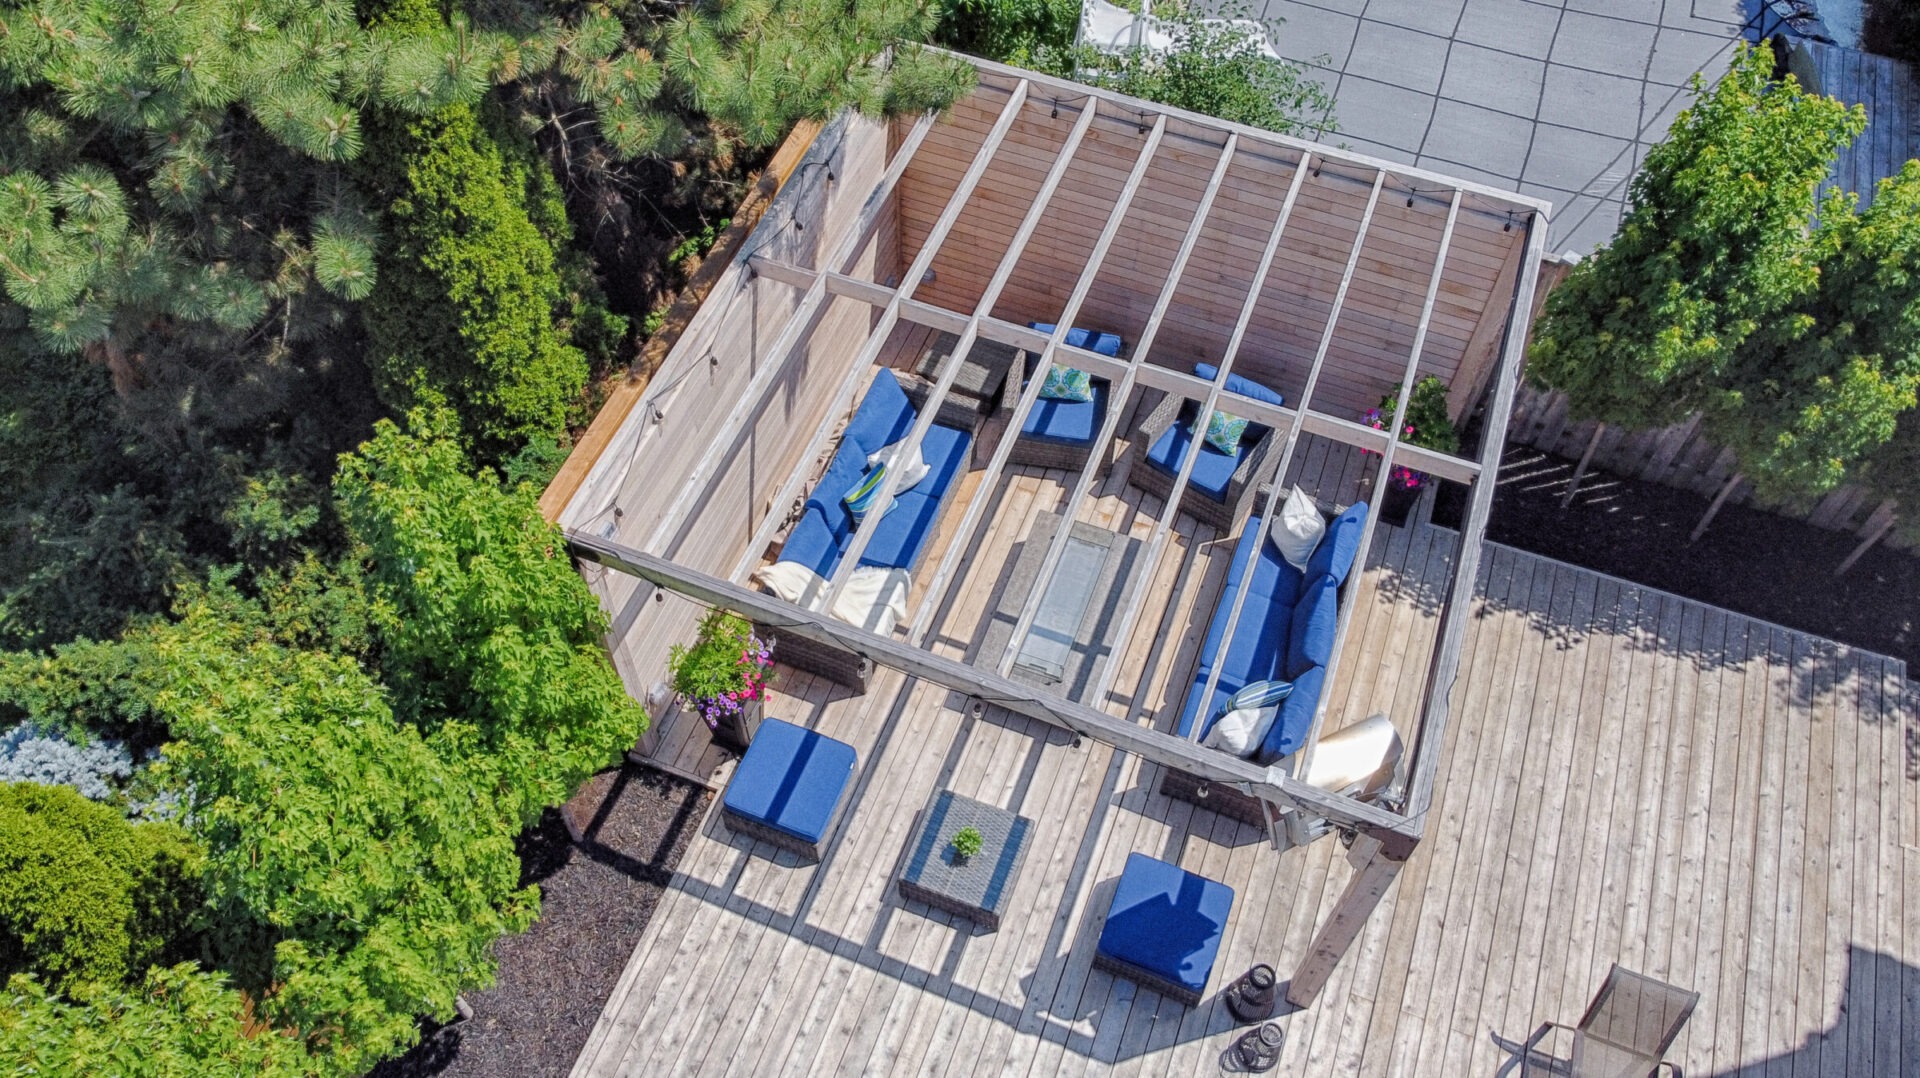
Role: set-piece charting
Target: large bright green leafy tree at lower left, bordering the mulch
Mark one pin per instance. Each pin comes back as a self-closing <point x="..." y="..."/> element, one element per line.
<point x="358" y="871"/>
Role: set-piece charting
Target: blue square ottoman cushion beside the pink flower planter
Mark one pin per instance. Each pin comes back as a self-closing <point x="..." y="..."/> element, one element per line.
<point x="792" y="779"/>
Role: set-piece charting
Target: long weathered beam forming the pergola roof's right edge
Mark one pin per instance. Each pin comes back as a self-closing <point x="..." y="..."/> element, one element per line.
<point x="1441" y="674"/>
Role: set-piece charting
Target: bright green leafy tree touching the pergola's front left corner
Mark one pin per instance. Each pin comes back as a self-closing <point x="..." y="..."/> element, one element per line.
<point x="489" y="633"/>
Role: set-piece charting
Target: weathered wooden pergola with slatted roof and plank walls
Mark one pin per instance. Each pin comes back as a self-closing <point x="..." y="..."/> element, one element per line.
<point x="1335" y="276"/>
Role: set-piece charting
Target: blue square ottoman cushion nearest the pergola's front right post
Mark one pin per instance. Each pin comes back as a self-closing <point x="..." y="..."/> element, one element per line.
<point x="1166" y="921"/>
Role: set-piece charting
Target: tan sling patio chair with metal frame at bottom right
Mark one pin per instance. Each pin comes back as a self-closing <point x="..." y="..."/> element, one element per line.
<point x="1625" y="1033"/>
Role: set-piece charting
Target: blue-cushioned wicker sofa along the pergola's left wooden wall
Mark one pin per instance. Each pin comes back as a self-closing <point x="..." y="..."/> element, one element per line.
<point x="825" y="531"/>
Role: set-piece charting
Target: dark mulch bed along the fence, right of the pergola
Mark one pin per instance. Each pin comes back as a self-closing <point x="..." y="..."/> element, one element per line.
<point x="1750" y="562"/>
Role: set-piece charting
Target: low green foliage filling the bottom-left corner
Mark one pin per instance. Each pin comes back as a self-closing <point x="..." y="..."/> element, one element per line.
<point x="180" y="1021"/>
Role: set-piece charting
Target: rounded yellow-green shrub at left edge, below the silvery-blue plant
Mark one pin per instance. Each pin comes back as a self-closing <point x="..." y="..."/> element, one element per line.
<point x="85" y="896"/>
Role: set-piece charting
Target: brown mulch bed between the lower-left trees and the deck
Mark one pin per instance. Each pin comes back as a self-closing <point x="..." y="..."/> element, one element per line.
<point x="596" y="900"/>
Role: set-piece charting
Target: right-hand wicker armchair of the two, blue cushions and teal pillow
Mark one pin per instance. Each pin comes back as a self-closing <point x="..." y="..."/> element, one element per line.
<point x="1220" y="489"/>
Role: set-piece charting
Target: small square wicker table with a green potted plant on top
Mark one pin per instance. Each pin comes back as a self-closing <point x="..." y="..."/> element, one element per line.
<point x="974" y="889"/>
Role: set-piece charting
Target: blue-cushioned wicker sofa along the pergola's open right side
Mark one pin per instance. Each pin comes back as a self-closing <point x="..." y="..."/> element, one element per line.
<point x="1287" y="633"/>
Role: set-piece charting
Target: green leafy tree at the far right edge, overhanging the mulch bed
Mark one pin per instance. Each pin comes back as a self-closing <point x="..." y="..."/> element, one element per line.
<point x="1821" y="385"/>
